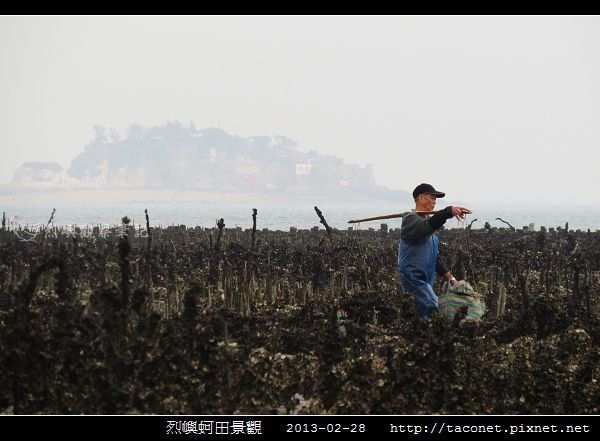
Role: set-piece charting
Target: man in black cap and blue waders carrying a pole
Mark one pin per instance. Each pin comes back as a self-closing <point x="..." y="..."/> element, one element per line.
<point x="418" y="259"/>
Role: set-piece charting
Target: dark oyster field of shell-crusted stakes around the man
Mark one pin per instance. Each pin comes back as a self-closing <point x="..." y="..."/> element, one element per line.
<point x="221" y="320"/>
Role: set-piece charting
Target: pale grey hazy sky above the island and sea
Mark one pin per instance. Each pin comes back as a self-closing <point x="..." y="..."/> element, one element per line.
<point x="489" y="109"/>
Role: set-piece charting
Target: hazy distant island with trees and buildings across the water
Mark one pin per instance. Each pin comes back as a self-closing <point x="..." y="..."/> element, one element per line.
<point x="182" y="158"/>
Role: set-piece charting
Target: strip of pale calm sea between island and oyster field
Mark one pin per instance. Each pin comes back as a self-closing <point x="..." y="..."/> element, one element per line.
<point x="282" y="217"/>
